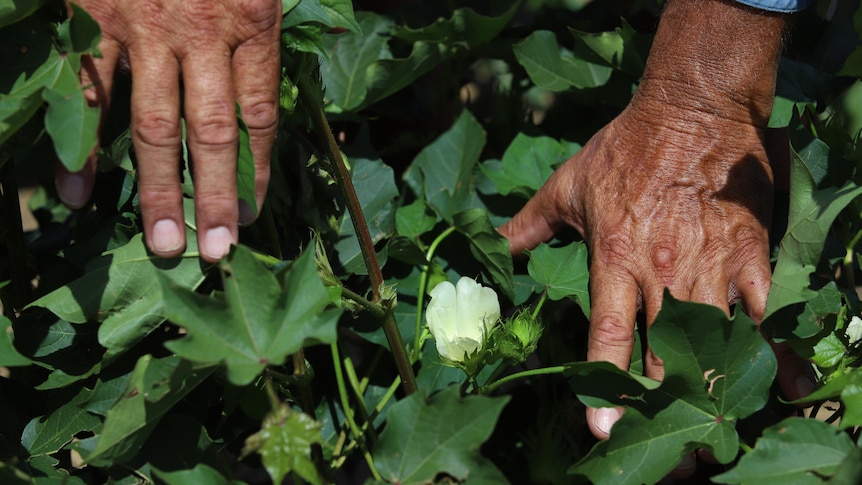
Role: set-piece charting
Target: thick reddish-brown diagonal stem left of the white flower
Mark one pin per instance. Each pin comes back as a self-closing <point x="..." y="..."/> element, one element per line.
<point x="366" y="245"/>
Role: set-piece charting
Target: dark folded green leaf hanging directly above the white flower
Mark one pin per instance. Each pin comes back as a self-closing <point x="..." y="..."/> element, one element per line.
<point x="488" y="246"/>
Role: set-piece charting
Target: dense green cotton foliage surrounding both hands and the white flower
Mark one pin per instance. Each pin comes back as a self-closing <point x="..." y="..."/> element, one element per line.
<point x="119" y="367"/>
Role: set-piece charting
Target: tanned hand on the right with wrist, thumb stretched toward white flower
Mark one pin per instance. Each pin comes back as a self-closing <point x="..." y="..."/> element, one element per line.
<point x="676" y="192"/>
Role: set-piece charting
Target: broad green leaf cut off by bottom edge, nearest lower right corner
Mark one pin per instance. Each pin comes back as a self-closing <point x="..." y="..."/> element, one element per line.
<point x="795" y="451"/>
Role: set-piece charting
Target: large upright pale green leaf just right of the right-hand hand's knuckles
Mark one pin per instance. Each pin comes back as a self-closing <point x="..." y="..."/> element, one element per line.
<point x="811" y="214"/>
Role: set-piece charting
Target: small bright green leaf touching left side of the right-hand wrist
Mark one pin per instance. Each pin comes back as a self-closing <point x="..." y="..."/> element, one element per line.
<point x="623" y="49"/>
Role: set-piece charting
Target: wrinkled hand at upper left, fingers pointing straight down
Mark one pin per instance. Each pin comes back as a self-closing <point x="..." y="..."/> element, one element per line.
<point x="223" y="51"/>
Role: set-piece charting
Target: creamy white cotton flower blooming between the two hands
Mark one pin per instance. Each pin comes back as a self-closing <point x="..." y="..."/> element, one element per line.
<point x="461" y="316"/>
